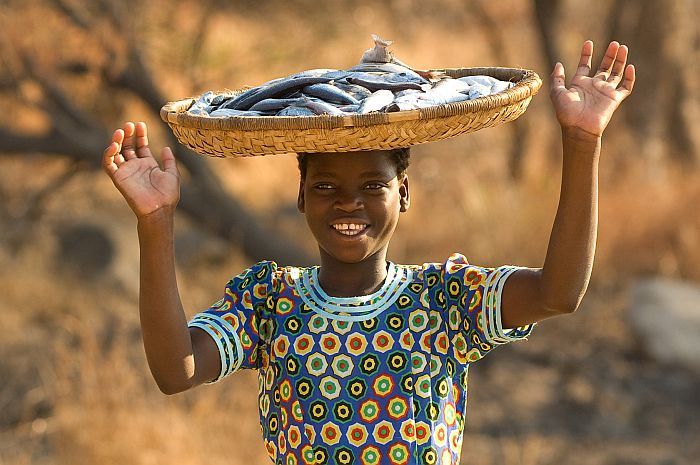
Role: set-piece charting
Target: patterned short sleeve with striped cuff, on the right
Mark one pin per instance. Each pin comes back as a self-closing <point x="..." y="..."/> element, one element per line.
<point x="473" y="303"/>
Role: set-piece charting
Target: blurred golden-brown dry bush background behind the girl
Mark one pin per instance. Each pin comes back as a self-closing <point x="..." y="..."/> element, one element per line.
<point x="615" y="383"/>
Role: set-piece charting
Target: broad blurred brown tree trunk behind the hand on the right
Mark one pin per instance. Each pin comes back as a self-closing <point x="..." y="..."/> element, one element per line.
<point x="664" y="40"/>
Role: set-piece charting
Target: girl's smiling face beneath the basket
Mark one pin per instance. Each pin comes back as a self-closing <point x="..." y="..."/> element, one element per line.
<point x="352" y="203"/>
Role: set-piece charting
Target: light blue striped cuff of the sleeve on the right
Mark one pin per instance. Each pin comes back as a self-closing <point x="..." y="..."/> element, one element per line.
<point x="491" y="309"/>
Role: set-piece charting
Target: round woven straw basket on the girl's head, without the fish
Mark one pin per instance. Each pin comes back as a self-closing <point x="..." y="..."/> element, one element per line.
<point x="264" y="135"/>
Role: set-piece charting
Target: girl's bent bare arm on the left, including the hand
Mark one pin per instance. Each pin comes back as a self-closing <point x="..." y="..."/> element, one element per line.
<point x="177" y="360"/>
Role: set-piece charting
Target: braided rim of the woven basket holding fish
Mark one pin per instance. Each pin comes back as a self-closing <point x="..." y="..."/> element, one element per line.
<point x="527" y="84"/>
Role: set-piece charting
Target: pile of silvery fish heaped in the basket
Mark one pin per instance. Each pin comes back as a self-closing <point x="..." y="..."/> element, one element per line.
<point x="379" y="83"/>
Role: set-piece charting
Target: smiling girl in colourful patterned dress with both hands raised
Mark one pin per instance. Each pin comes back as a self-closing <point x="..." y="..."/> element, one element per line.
<point x="362" y="360"/>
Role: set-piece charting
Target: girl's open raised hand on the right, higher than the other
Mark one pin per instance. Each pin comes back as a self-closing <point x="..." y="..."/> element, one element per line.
<point x="589" y="102"/>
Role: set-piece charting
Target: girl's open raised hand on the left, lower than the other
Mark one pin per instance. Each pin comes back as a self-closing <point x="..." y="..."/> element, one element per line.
<point x="129" y="163"/>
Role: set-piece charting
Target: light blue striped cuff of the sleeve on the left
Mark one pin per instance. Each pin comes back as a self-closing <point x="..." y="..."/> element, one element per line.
<point x="226" y="339"/>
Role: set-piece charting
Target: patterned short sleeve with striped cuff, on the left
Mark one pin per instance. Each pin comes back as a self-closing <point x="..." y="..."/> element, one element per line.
<point x="236" y="320"/>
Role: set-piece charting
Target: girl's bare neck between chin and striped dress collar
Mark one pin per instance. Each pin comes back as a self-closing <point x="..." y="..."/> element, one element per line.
<point x="340" y="279"/>
